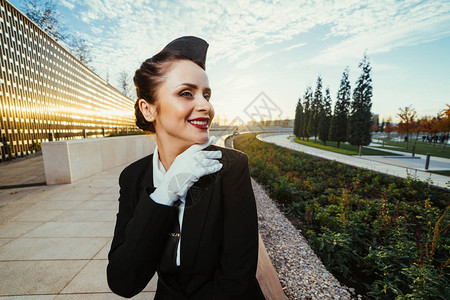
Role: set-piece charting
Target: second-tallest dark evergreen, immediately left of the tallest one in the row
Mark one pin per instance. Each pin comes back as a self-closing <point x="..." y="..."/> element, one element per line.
<point x="338" y="128"/>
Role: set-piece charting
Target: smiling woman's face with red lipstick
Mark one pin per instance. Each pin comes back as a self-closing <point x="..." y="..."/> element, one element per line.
<point x="183" y="111"/>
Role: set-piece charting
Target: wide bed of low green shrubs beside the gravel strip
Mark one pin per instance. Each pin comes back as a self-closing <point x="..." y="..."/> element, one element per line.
<point x="388" y="237"/>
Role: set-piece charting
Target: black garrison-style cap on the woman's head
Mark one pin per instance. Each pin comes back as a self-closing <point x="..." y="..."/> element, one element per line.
<point x="192" y="47"/>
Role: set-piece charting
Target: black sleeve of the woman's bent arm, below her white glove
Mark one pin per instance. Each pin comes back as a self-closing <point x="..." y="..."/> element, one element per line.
<point x="139" y="238"/>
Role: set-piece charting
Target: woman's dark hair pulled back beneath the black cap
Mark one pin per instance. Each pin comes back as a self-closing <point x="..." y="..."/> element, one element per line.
<point x="148" y="78"/>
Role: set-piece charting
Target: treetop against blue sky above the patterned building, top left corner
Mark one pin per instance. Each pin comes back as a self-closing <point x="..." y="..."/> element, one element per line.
<point x="45" y="15"/>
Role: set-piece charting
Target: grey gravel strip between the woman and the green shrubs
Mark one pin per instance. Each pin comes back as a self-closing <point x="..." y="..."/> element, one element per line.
<point x="301" y="273"/>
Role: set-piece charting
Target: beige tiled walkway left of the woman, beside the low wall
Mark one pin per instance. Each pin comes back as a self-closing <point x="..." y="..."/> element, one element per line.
<point x="54" y="240"/>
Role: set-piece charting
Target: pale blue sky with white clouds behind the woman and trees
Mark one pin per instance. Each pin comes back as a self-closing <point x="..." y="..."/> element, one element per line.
<point x="279" y="48"/>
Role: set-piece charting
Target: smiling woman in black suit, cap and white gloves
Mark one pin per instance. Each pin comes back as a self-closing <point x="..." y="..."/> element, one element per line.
<point x="187" y="211"/>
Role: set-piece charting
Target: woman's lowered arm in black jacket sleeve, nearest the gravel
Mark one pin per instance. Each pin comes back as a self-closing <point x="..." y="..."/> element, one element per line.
<point x="236" y="278"/>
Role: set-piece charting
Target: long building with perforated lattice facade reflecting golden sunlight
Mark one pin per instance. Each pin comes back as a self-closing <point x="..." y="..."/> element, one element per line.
<point x="46" y="93"/>
